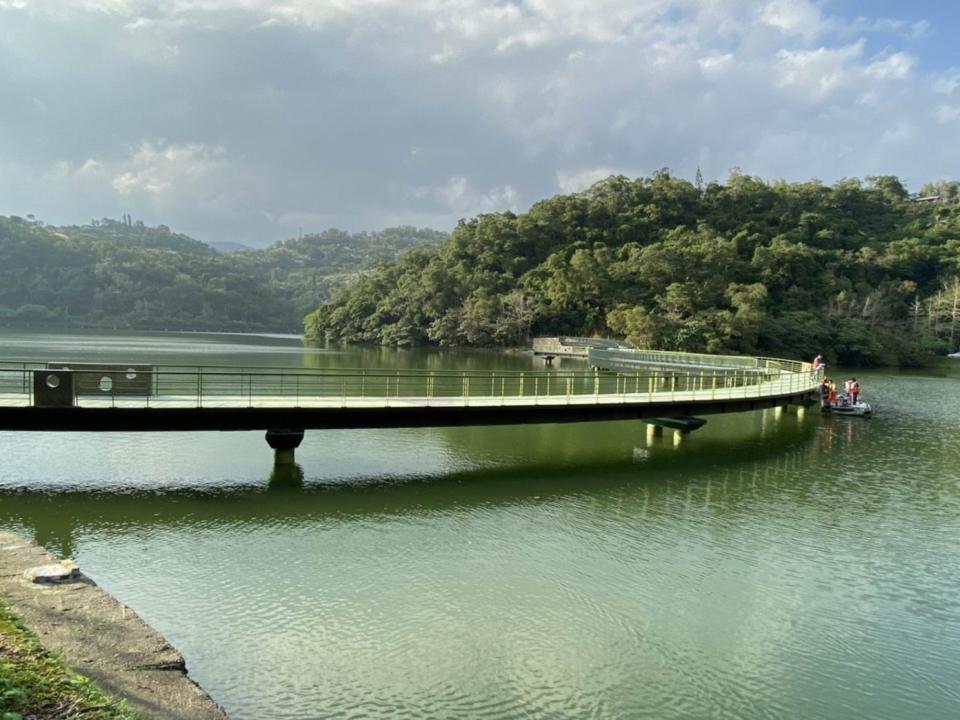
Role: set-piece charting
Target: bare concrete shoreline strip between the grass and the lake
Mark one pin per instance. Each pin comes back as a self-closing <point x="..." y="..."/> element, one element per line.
<point x="101" y="638"/>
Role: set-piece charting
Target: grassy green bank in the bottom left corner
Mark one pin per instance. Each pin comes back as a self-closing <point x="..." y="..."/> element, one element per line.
<point x="34" y="684"/>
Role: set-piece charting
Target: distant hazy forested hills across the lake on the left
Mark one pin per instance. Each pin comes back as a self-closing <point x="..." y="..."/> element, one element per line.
<point x="123" y="274"/>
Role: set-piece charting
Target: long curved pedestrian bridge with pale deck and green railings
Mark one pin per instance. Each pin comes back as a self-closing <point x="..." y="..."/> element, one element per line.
<point x="627" y="384"/>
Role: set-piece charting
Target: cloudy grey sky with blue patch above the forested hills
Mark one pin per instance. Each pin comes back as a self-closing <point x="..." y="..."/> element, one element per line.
<point x="251" y="121"/>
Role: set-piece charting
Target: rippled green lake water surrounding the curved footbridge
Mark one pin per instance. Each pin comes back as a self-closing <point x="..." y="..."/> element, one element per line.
<point x="767" y="567"/>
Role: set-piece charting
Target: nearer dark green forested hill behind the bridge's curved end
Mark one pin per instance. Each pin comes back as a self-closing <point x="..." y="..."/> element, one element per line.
<point x="858" y="271"/>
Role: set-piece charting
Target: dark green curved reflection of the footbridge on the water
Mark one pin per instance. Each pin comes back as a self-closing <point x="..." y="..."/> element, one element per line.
<point x="779" y="444"/>
